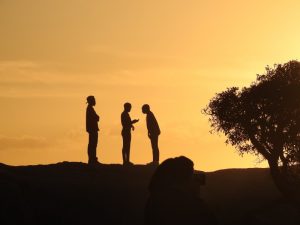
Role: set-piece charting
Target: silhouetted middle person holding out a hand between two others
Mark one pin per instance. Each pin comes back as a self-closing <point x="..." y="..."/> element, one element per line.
<point x="127" y="125"/>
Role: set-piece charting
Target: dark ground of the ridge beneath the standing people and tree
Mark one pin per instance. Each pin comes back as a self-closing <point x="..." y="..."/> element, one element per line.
<point x="74" y="193"/>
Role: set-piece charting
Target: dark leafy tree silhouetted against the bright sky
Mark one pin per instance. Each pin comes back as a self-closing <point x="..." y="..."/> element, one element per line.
<point x="264" y="120"/>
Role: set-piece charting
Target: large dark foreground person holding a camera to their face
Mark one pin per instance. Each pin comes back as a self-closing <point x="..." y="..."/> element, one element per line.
<point x="174" y="196"/>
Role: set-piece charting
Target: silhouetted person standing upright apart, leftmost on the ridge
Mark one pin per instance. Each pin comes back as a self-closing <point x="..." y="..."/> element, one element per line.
<point x="92" y="128"/>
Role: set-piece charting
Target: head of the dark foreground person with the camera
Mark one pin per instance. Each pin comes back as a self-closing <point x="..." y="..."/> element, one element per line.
<point x="174" y="173"/>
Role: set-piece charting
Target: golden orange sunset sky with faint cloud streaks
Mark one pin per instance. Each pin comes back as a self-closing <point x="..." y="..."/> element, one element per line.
<point x="174" y="55"/>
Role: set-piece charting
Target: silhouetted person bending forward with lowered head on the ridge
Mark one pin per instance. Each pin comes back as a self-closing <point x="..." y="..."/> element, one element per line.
<point x="153" y="132"/>
